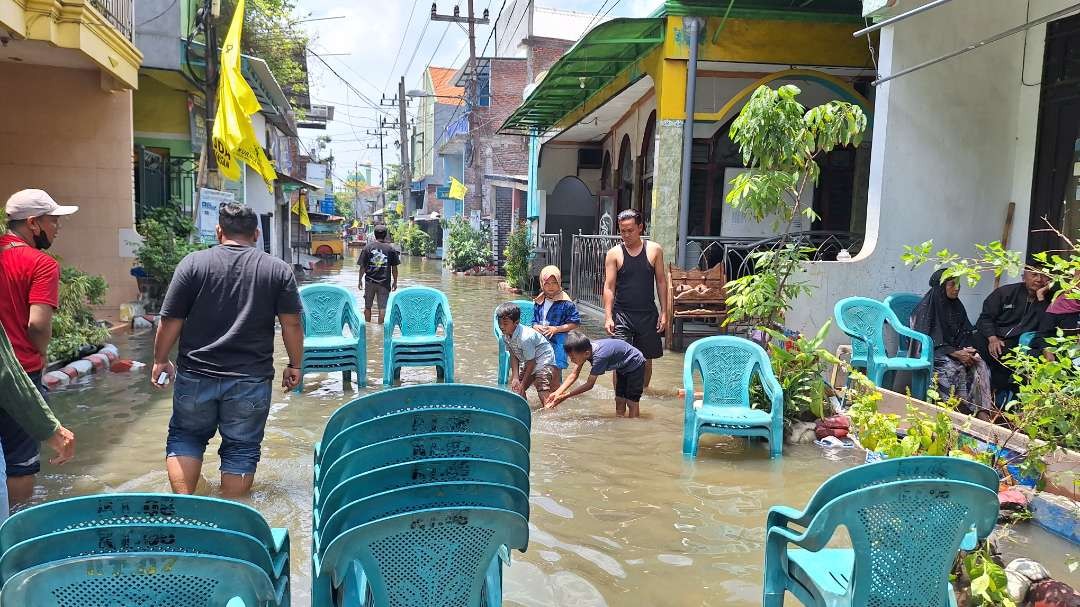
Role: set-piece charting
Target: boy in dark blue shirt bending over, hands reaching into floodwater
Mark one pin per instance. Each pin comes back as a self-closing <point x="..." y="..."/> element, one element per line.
<point x="604" y="356"/>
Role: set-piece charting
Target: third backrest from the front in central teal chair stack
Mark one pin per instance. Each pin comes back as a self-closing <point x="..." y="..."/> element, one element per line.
<point x="418" y="474"/>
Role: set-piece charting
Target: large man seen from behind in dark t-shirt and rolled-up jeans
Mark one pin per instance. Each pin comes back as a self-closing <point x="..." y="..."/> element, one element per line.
<point x="222" y="305"/>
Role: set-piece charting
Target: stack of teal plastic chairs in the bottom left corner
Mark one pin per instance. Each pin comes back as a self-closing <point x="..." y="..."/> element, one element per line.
<point x="143" y="549"/>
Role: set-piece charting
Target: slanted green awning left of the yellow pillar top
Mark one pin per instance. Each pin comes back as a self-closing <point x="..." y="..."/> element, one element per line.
<point x="597" y="60"/>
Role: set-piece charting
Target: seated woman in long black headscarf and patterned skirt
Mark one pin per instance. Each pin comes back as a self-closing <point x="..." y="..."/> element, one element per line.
<point x="960" y="370"/>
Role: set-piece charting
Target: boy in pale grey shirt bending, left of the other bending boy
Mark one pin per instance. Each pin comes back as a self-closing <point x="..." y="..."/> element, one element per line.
<point x="532" y="357"/>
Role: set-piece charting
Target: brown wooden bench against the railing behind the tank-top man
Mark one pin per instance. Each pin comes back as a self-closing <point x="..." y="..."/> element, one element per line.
<point x="695" y="295"/>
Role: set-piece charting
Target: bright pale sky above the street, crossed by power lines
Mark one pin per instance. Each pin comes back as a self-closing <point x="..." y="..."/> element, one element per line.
<point x="377" y="43"/>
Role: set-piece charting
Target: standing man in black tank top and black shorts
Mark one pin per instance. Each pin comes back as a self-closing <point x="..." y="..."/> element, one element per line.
<point x="634" y="275"/>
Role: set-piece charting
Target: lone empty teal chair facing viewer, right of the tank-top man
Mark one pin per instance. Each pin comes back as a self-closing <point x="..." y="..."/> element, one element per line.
<point x="727" y="365"/>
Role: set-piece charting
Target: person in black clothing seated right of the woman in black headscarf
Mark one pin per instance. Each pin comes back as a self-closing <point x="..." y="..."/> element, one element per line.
<point x="1009" y="313"/>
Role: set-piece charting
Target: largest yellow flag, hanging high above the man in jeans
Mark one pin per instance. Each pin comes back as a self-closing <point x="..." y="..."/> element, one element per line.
<point x="235" y="139"/>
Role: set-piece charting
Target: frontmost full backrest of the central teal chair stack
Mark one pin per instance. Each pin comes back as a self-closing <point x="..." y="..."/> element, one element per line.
<point x="398" y="556"/>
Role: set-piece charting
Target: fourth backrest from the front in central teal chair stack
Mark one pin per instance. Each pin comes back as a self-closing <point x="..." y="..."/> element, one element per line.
<point x="447" y="446"/>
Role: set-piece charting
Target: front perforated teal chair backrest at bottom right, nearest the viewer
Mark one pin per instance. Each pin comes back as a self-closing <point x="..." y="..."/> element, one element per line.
<point x="906" y="536"/>
